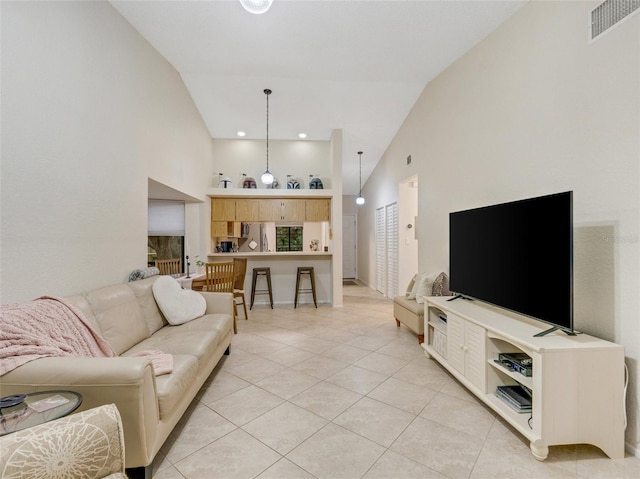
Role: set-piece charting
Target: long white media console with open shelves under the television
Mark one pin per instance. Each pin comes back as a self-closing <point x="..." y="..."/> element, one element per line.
<point x="577" y="382"/>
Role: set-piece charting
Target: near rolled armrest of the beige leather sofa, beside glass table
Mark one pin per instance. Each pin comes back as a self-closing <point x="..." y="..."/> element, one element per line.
<point x="127" y="382"/>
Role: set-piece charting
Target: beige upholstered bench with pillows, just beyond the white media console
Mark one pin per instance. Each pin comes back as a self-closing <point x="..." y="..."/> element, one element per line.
<point x="408" y="309"/>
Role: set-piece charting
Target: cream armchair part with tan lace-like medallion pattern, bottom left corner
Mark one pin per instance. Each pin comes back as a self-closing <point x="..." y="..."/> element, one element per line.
<point x="90" y="442"/>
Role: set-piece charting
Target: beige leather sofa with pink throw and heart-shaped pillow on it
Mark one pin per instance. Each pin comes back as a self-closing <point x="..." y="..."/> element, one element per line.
<point x="128" y="318"/>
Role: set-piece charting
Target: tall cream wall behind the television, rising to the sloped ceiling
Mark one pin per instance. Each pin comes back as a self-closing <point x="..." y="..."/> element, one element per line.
<point x="534" y="109"/>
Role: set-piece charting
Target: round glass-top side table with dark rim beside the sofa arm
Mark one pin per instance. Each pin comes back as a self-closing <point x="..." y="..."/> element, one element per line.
<point x="38" y="408"/>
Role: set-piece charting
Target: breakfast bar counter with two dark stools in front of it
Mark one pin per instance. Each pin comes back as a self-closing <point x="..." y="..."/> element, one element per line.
<point x="283" y="274"/>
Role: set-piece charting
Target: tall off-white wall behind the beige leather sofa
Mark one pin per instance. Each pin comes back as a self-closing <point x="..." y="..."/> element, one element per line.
<point x="89" y="111"/>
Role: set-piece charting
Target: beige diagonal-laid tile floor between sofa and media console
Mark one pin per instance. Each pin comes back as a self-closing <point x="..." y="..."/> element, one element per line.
<point x="344" y="393"/>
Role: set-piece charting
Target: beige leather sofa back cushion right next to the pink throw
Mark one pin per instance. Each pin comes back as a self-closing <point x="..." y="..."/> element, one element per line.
<point x="118" y="313"/>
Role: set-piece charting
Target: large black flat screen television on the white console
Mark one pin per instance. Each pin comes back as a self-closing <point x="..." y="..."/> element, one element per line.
<point x="518" y="256"/>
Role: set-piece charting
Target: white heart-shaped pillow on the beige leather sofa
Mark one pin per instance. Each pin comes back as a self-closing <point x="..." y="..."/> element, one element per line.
<point x="178" y="305"/>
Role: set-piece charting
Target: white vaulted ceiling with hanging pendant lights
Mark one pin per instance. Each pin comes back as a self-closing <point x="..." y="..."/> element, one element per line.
<point x="354" y="65"/>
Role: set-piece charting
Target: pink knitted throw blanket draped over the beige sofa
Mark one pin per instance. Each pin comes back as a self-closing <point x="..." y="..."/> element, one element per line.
<point x="51" y="327"/>
